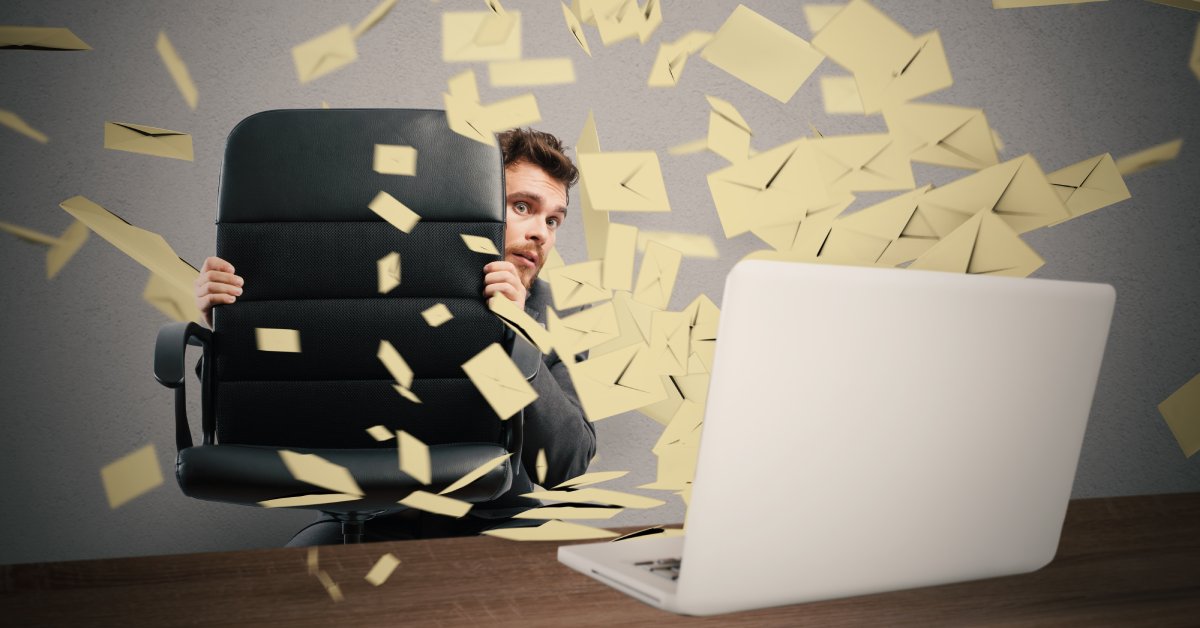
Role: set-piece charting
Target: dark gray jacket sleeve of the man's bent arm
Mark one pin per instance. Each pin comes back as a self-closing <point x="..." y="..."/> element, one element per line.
<point x="556" y="423"/>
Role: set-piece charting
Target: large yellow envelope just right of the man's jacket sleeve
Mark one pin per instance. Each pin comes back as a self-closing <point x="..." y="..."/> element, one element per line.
<point x="616" y="382"/>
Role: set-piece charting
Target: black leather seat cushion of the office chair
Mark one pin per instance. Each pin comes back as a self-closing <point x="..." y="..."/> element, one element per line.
<point x="249" y="475"/>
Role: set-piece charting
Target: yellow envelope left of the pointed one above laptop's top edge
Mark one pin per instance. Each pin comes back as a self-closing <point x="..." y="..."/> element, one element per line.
<point x="891" y="232"/>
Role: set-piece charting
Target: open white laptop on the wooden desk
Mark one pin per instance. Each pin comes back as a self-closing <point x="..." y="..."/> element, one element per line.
<point x="871" y="430"/>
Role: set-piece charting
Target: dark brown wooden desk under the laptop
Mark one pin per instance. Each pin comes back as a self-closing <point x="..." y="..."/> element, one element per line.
<point x="1123" y="561"/>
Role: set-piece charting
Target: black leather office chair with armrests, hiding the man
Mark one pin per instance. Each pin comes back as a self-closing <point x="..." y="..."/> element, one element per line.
<point x="295" y="220"/>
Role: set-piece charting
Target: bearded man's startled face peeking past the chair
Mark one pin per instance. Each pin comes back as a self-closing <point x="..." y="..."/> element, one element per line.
<point x="537" y="207"/>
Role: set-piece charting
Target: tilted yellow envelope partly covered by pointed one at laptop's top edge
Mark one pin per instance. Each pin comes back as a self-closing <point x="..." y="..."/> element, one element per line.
<point x="1016" y="190"/>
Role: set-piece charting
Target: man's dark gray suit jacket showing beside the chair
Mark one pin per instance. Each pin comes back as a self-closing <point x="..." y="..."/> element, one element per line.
<point x="555" y="423"/>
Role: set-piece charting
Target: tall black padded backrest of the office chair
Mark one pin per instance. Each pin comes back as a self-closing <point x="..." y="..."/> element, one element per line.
<point x="295" y="222"/>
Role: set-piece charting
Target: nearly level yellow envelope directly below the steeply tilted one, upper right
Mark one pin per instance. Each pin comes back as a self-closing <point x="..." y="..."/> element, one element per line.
<point x="943" y="135"/>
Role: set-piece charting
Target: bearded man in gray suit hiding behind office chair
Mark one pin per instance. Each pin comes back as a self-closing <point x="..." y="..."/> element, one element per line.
<point x="538" y="175"/>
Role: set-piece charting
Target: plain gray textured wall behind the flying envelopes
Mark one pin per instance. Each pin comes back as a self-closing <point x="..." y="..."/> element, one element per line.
<point x="1064" y="83"/>
